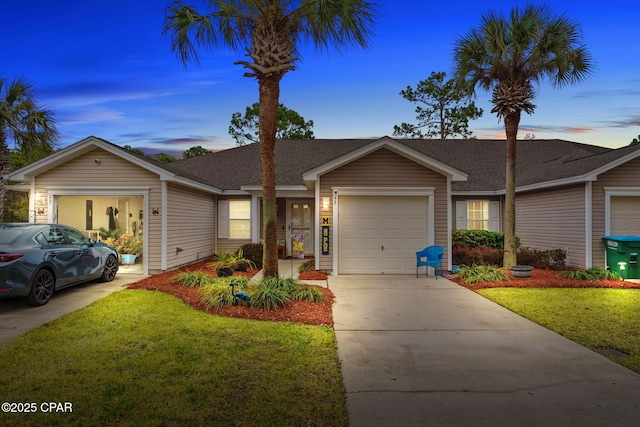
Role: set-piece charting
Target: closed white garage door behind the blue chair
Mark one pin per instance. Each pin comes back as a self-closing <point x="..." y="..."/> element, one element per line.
<point x="380" y="235"/>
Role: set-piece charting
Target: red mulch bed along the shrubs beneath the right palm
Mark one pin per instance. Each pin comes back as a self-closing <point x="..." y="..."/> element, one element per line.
<point x="546" y="279"/>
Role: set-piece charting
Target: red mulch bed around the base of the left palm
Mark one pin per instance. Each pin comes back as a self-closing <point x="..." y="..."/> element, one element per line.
<point x="295" y="311"/>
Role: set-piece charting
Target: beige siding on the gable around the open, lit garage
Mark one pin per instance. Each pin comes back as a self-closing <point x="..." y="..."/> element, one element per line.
<point x="112" y="173"/>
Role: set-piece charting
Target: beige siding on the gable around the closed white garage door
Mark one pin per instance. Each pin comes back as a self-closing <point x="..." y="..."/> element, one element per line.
<point x="384" y="168"/>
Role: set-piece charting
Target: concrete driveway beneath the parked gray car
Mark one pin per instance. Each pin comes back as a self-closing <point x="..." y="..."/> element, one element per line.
<point x="16" y="317"/>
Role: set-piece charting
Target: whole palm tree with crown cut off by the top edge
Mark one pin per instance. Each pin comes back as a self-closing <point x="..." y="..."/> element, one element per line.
<point x="269" y="31"/>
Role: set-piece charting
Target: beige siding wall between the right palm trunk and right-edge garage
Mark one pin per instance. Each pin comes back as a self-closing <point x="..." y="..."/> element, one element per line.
<point x="553" y="219"/>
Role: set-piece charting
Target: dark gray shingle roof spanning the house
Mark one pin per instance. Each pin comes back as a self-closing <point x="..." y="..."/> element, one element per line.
<point x="538" y="161"/>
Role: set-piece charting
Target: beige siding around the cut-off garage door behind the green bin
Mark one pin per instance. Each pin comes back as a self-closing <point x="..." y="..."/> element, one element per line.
<point x="627" y="175"/>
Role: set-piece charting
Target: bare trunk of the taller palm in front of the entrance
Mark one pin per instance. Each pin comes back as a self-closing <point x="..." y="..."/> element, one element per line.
<point x="269" y="98"/>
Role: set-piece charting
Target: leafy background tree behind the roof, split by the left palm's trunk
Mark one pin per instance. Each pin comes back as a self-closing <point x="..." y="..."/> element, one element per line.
<point x="291" y="125"/>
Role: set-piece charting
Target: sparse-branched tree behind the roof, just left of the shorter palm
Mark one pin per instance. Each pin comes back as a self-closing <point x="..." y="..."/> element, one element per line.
<point x="444" y="109"/>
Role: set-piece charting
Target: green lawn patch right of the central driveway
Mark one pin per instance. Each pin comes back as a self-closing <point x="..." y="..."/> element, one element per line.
<point x="594" y="318"/>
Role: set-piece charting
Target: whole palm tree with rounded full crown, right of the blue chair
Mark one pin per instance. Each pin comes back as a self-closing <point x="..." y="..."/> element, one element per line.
<point x="509" y="55"/>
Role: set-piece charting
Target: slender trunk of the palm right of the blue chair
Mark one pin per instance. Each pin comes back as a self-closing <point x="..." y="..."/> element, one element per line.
<point x="511" y="122"/>
